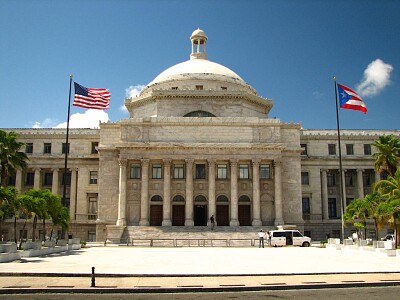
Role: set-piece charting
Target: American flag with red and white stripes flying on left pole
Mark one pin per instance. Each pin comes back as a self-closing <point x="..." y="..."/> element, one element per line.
<point x="96" y="98"/>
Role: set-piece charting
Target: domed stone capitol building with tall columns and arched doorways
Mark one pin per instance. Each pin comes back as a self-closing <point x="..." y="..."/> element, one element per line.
<point x="199" y="142"/>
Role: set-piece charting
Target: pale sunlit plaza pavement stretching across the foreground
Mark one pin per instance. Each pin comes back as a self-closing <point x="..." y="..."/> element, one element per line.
<point x="160" y="269"/>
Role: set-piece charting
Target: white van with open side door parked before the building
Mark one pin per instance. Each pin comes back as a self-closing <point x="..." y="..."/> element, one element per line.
<point x="288" y="237"/>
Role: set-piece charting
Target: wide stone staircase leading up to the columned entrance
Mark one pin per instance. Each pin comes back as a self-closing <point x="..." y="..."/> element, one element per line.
<point x="192" y="235"/>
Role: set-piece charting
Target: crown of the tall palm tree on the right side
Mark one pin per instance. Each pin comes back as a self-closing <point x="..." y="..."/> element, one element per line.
<point x="386" y="159"/>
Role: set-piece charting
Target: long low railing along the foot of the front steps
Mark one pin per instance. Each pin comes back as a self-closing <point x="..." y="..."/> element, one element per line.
<point x="190" y="242"/>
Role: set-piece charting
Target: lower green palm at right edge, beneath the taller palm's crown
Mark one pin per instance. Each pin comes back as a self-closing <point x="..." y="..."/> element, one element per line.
<point x="389" y="209"/>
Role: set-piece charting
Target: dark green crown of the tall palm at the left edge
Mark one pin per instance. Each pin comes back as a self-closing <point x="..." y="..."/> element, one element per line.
<point x="10" y="156"/>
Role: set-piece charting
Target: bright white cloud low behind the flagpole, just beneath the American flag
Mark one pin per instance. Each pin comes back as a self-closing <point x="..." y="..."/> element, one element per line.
<point x="89" y="119"/>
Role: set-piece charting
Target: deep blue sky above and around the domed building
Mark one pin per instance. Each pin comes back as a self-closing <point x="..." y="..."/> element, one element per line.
<point x="287" y="50"/>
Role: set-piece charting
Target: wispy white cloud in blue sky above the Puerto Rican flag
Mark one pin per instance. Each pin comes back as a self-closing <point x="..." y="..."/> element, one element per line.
<point x="376" y="78"/>
